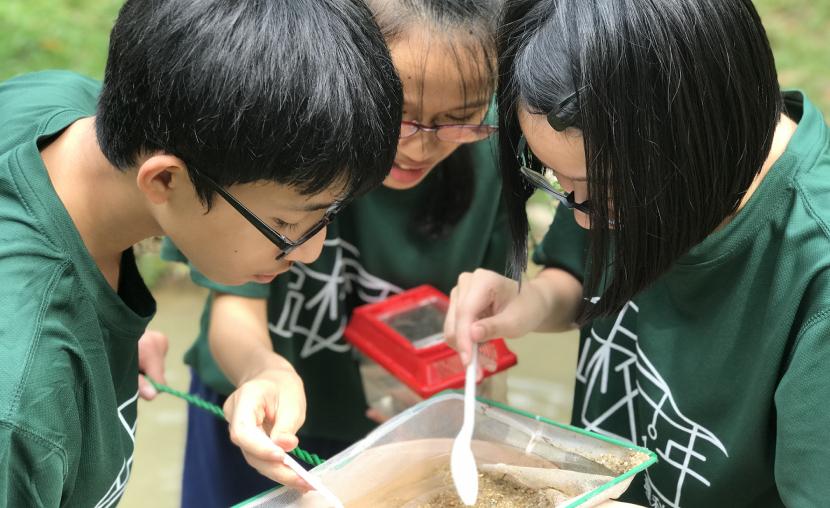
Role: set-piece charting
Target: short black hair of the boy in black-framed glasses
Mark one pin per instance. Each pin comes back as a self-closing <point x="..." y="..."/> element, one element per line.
<point x="297" y="92"/>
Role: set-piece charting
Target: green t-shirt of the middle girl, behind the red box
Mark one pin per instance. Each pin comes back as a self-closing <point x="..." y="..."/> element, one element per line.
<point x="370" y="253"/>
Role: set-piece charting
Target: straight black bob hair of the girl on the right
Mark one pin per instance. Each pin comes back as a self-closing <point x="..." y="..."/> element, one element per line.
<point x="677" y="104"/>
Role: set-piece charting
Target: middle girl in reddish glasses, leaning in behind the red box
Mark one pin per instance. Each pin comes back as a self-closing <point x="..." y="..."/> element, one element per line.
<point x="439" y="213"/>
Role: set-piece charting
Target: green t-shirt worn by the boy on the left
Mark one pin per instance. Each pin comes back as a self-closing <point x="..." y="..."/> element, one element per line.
<point x="68" y="342"/>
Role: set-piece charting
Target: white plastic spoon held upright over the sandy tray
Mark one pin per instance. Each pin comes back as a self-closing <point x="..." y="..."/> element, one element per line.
<point x="462" y="461"/>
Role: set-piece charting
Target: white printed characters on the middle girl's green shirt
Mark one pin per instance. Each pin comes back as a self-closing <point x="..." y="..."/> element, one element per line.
<point x="347" y="276"/>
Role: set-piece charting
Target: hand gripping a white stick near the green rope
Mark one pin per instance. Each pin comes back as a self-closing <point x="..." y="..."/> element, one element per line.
<point x="264" y="414"/>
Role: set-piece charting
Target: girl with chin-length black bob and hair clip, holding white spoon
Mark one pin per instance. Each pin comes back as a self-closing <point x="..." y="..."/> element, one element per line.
<point x="691" y="243"/>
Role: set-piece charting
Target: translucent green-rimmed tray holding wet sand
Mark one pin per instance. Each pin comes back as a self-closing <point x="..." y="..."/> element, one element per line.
<point x="396" y="464"/>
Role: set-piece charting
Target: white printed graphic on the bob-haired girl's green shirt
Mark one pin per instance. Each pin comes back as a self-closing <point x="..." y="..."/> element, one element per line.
<point x="617" y="360"/>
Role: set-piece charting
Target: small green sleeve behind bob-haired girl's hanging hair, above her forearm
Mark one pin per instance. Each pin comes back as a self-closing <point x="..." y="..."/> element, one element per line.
<point x="564" y="246"/>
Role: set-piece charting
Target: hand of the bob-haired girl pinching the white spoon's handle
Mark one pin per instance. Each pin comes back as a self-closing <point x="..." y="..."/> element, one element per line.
<point x="485" y="305"/>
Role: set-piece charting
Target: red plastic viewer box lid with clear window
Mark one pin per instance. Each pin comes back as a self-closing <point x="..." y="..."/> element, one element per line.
<point x="404" y="334"/>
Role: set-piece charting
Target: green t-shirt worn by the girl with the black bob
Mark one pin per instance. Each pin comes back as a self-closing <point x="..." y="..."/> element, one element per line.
<point x="720" y="366"/>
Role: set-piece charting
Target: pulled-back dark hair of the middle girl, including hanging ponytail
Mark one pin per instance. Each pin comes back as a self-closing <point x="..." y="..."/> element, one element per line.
<point x="470" y="28"/>
